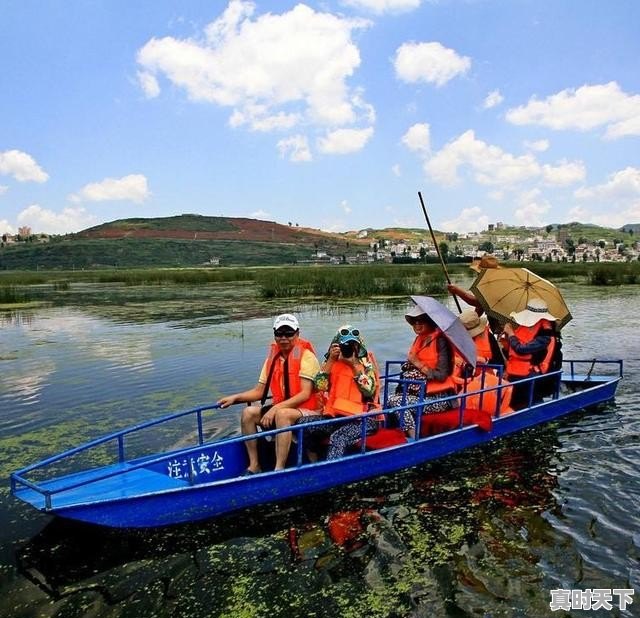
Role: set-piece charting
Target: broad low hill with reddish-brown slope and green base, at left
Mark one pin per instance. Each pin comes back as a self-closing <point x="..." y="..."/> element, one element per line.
<point x="182" y="241"/>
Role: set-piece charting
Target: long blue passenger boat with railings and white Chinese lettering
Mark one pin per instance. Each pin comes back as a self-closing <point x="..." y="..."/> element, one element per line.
<point x="205" y="479"/>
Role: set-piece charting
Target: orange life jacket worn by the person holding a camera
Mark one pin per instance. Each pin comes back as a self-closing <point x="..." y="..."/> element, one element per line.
<point x="344" y="397"/>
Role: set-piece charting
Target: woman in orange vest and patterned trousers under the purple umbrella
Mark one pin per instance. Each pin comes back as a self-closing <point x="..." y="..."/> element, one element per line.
<point x="430" y="363"/>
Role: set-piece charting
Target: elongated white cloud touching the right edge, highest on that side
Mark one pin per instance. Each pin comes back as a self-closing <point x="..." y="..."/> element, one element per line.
<point x="583" y="109"/>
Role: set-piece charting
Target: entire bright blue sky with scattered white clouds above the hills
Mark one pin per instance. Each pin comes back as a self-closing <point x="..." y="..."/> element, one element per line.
<point x="330" y="114"/>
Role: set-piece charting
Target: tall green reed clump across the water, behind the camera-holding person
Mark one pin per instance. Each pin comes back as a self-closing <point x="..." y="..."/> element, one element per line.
<point x="350" y="281"/>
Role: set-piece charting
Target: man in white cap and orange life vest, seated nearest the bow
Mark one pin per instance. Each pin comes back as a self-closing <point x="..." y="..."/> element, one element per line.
<point x="288" y="371"/>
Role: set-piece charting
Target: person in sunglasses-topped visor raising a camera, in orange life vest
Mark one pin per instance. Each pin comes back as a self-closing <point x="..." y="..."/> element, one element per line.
<point x="349" y="380"/>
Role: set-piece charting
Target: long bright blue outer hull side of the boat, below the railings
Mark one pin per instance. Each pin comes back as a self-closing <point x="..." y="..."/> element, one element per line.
<point x="162" y="505"/>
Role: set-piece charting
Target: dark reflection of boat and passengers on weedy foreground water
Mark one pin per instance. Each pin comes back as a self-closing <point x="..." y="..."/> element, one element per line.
<point x="441" y="538"/>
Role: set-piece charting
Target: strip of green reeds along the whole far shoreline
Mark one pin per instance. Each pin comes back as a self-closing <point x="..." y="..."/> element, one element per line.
<point x="340" y="282"/>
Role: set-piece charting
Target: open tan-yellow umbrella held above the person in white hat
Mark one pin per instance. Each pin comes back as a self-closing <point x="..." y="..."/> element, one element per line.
<point x="502" y="291"/>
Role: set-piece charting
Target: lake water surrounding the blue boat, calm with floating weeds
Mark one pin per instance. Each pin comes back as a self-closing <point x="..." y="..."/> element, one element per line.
<point x="486" y="533"/>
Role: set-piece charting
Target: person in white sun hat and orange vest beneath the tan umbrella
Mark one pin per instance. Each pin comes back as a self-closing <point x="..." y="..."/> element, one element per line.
<point x="531" y="346"/>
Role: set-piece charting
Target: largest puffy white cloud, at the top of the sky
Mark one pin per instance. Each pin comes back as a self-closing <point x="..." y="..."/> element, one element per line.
<point x="290" y="66"/>
